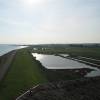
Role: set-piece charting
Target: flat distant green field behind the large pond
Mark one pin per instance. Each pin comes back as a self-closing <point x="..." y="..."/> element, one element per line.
<point x="74" y="51"/>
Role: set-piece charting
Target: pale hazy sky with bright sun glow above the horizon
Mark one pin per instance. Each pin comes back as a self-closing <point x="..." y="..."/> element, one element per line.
<point x="49" y="21"/>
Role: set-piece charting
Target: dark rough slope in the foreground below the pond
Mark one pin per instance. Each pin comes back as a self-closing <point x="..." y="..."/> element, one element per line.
<point x="82" y="89"/>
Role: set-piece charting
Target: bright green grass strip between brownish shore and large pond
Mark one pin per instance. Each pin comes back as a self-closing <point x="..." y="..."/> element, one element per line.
<point x="24" y="73"/>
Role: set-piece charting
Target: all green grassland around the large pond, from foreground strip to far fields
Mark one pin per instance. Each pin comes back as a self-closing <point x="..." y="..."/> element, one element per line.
<point x="26" y="72"/>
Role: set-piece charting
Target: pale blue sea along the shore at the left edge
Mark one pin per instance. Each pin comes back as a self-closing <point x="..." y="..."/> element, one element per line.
<point x="7" y="48"/>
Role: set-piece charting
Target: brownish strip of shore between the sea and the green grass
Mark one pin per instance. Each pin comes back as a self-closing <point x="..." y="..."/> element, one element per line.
<point x="5" y="62"/>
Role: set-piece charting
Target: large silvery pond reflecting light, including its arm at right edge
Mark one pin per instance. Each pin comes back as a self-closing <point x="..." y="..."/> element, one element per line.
<point x="56" y="62"/>
